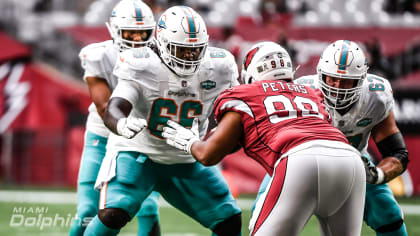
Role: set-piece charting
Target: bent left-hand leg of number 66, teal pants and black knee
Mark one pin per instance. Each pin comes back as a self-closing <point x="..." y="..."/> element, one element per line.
<point x="122" y="196"/>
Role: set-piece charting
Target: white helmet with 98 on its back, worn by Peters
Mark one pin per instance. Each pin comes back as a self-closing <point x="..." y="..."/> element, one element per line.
<point x="266" y="61"/>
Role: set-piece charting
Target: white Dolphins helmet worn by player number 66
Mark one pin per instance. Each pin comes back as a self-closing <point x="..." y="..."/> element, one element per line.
<point x="181" y="38"/>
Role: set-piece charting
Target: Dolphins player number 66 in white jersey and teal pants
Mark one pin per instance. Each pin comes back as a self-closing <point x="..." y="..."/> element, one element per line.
<point x="180" y="82"/>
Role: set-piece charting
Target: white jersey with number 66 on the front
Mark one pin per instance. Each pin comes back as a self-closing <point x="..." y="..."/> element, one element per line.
<point x="157" y="95"/>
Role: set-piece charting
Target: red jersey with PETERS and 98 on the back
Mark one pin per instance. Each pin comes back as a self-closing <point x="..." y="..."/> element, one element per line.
<point x="277" y="116"/>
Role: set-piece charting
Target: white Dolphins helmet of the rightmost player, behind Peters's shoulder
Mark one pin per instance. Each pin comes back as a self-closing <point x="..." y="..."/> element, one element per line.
<point x="342" y="59"/>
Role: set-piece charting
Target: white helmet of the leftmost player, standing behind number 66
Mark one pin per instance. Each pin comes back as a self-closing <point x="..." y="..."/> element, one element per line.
<point x="131" y="15"/>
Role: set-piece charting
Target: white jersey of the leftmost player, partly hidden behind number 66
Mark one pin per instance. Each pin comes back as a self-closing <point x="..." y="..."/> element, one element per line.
<point x="98" y="60"/>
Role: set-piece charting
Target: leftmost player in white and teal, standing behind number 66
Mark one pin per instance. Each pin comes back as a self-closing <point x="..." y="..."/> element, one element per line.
<point x="131" y="25"/>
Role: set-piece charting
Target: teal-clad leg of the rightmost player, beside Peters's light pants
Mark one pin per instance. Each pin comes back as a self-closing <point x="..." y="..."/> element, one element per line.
<point x="382" y="212"/>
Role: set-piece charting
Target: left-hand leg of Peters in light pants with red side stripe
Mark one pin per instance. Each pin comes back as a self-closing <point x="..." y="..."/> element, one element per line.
<point x="289" y="200"/>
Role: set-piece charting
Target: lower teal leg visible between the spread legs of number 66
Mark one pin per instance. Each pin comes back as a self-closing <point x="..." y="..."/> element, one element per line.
<point x="148" y="216"/>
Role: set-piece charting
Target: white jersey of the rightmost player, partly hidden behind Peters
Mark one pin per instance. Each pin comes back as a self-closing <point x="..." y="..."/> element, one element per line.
<point x="373" y="106"/>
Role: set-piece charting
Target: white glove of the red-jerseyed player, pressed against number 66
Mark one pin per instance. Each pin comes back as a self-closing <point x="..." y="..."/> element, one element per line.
<point x="180" y="137"/>
